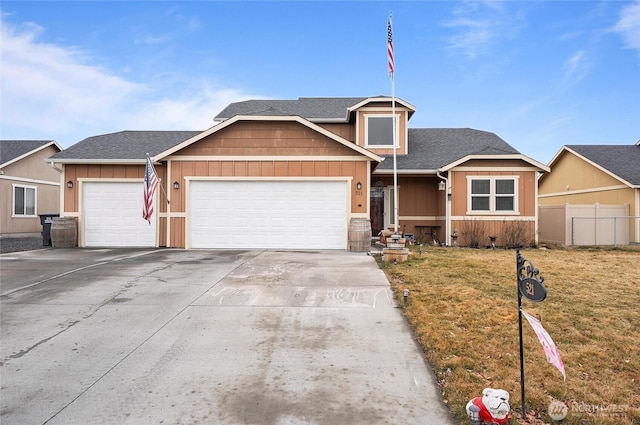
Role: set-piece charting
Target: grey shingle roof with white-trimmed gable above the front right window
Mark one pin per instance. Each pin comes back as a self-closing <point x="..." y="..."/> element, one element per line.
<point x="439" y="149"/>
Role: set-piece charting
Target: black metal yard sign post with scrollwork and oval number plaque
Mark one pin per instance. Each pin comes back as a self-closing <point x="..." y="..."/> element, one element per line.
<point x="530" y="286"/>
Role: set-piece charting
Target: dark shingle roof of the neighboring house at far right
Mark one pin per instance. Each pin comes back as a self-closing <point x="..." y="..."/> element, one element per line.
<point x="621" y="160"/>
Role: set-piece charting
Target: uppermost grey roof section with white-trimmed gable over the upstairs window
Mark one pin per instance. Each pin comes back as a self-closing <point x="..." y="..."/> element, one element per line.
<point x="314" y="109"/>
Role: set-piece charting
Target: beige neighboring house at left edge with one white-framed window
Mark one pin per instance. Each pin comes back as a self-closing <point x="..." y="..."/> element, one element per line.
<point x="29" y="186"/>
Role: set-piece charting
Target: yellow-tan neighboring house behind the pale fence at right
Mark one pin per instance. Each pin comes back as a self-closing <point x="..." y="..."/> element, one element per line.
<point x="592" y="196"/>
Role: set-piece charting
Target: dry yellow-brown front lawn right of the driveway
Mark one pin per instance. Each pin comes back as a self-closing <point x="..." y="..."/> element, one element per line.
<point x="463" y="309"/>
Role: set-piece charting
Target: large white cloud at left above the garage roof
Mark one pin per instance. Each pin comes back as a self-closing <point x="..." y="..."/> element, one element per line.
<point x="55" y="92"/>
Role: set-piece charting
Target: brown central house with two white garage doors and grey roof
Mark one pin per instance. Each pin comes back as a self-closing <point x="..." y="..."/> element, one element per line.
<point x="292" y="174"/>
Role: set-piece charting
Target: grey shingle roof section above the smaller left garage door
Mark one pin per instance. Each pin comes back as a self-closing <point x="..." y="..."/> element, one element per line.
<point x="127" y="145"/>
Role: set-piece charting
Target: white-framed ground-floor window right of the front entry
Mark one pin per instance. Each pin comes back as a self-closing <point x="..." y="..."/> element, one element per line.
<point x="493" y="194"/>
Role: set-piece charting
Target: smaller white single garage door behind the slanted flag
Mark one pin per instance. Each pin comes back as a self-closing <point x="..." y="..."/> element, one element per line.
<point x="112" y="214"/>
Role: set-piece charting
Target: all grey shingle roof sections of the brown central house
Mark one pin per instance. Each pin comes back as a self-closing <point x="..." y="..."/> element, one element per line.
<point x="429" y="148"/>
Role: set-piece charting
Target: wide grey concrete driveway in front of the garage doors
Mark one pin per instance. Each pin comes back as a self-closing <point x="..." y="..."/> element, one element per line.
<point x="121" y="336"/>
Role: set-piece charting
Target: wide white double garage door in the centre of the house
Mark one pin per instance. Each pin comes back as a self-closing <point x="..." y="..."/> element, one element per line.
<point x="268" y="214"/>
